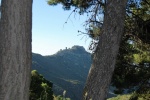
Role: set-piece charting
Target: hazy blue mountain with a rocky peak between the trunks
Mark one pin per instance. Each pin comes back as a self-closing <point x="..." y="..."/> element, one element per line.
<point x="67" y="70"/>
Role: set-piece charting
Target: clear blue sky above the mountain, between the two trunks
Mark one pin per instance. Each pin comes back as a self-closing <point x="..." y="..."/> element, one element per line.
<point x="50" y="34"/>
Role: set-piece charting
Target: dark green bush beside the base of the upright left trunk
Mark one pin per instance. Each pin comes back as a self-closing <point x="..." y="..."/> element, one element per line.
<point x="40" y="88"/>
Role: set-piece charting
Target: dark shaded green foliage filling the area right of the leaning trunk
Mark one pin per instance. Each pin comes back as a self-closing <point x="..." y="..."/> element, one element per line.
<point x="132" y="70"/>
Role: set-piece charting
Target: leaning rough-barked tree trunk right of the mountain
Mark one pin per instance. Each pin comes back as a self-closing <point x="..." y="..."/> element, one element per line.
<point x="104" y="59"/>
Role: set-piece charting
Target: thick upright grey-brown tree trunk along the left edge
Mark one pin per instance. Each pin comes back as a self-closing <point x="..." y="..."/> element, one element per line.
<point x="15" y="49"/>
